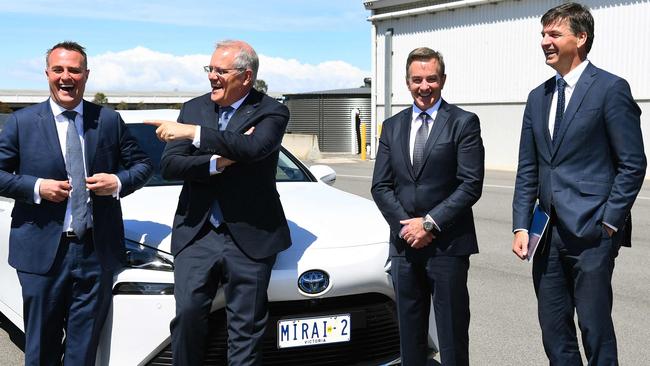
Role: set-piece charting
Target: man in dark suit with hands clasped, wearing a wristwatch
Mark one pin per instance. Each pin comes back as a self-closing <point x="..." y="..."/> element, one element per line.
<point x="428" y="174"/>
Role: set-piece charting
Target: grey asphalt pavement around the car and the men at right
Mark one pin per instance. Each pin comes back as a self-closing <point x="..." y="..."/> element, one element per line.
<point x="504" y="328"/>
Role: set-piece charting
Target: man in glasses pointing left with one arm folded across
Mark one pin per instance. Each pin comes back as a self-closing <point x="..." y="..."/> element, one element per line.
<point x="229" y="224"/>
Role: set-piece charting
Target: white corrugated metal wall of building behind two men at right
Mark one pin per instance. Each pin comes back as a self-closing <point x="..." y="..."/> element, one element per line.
<point x="492" y="51"/>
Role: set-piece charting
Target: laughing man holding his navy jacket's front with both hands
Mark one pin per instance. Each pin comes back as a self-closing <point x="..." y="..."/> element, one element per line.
<point x="66" y="255"/>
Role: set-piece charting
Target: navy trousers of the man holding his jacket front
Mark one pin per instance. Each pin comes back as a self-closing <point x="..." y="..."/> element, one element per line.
<point x="73" y="297"/>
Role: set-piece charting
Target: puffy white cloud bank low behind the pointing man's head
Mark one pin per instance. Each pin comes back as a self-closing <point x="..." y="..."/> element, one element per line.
<point x="142" y="69"/>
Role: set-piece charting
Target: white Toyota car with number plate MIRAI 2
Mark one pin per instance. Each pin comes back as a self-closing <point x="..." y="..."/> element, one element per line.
<point x="337" y="272"/>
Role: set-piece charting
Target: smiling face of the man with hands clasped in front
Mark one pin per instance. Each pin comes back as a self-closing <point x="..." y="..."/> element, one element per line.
<point x="425" y="82"/>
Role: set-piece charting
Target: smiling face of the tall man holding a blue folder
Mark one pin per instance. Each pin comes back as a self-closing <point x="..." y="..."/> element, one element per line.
<point x="563" y="49"/>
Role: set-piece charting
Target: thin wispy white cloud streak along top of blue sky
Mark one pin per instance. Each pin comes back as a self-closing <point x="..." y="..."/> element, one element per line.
<point x="258" y="15"/>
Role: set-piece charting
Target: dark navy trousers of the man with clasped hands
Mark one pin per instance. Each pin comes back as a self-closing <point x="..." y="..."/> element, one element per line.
<point x="416" y="282"/>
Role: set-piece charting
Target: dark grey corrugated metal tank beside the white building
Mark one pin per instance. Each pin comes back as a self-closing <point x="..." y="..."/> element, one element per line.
<point x="328" y="118"/>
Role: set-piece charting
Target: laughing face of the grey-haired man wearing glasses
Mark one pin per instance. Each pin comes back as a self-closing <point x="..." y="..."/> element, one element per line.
<point x="233" y="84"/>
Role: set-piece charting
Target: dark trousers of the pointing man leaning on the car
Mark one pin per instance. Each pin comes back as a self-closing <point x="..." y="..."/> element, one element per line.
<point x="214" y="259"/>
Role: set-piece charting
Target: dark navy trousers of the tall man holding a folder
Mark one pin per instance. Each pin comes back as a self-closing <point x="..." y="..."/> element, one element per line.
<point x="570" y="275"/>
